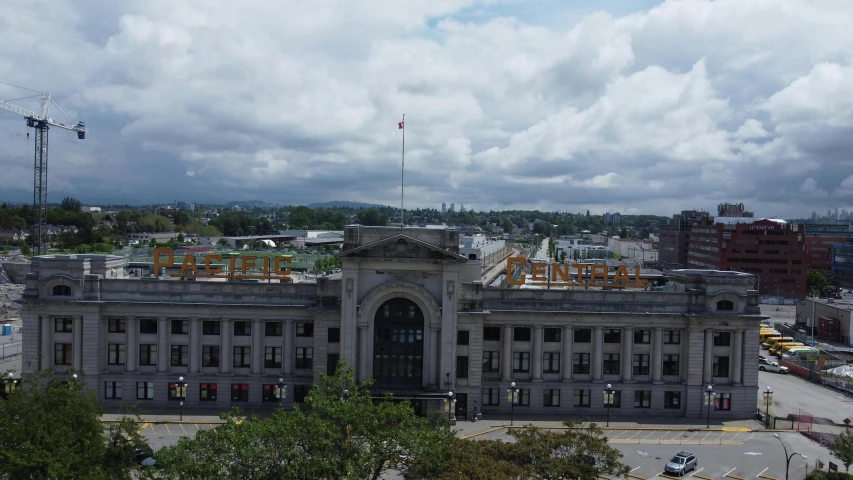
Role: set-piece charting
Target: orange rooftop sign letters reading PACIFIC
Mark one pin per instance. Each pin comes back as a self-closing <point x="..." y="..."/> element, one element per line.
<point x="271" y="267"/>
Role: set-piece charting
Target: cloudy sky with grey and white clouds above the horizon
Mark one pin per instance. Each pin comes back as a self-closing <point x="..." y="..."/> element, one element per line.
<point x="636" y="106"/>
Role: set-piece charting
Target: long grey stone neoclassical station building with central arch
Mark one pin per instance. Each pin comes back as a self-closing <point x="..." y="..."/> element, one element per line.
<point x="409" y="312"/>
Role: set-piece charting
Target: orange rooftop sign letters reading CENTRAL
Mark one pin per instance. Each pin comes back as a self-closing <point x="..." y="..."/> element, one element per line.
<point x="562" y="276"/>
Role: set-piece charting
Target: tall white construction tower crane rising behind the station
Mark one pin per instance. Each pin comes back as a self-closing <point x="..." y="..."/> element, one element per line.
<point x="41" y="122"/>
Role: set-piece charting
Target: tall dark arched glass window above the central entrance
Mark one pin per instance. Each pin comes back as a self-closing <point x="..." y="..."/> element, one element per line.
<point x="398" y="344"/>
